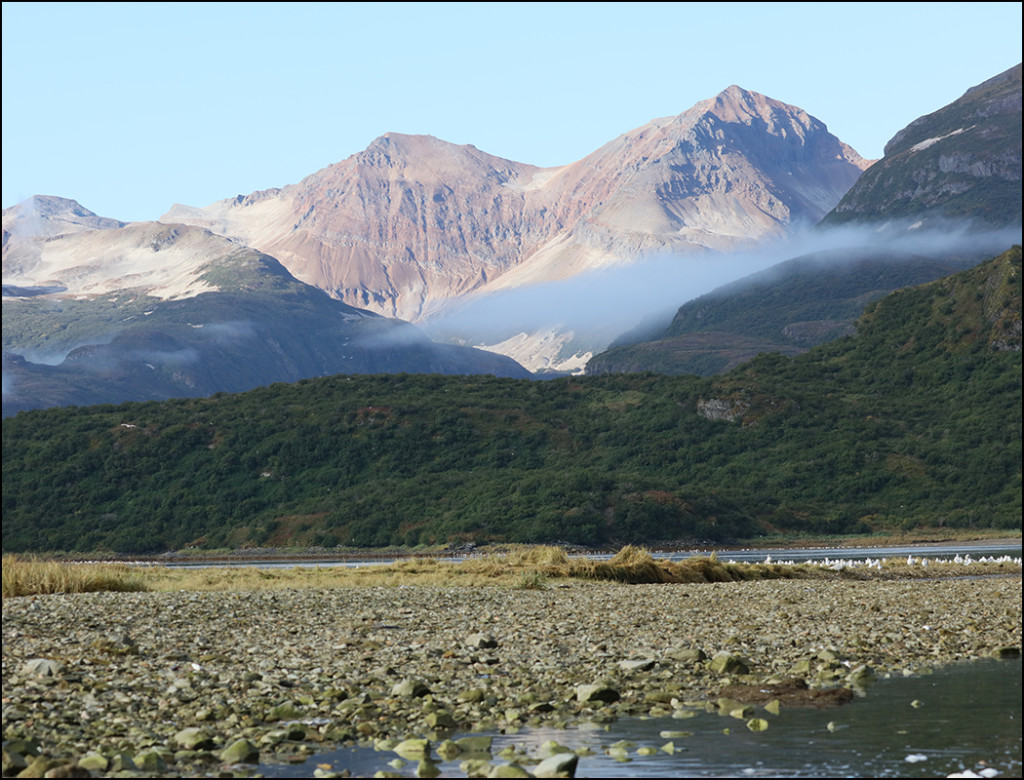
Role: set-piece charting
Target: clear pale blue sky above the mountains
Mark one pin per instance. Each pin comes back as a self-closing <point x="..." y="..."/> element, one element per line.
<point x="132" y="108"/>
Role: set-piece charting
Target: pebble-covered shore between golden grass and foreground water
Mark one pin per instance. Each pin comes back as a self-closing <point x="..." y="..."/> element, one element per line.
<point x="194" y="684"/>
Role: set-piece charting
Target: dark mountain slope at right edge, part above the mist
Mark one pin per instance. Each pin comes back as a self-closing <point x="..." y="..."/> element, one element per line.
<point x="960" y="163"/>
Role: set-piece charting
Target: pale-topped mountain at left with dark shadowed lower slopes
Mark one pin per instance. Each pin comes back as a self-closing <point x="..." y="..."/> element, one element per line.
<point x="153" y="311"/>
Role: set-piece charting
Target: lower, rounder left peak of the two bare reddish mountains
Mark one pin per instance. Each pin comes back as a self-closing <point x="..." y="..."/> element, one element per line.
<point x="408" y="221"/>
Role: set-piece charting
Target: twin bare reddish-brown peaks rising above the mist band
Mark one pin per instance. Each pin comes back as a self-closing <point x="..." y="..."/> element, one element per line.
<point x="413" y="223"/>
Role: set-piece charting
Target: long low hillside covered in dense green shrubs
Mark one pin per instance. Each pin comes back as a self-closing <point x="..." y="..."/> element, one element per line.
<point x="916" y="422"/>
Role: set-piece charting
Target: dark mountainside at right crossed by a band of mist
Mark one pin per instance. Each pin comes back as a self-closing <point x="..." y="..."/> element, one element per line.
<point x="947" y="196"/>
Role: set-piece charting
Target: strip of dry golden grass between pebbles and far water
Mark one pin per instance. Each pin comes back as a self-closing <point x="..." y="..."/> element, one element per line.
<point x="528" y="569"/>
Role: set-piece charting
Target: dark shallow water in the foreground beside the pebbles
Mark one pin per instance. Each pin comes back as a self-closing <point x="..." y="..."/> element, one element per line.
<point x="967" y="717"/>
